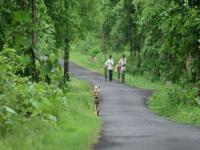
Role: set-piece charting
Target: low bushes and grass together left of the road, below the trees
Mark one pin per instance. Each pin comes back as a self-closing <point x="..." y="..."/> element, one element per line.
<point x="41" y="116"/>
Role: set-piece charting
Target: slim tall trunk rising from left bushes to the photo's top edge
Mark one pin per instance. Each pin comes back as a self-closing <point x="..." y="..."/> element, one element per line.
<point x="33" y="41"/>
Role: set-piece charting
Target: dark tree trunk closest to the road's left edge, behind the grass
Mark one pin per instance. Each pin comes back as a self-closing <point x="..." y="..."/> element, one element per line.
<point x="66" y="61"/>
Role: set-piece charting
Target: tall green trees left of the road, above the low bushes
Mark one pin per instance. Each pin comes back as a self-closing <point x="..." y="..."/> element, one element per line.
<point x="45" y="29"/>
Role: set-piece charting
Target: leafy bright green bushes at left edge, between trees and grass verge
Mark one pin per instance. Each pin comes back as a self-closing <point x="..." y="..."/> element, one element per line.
<point x="24" y="100"/>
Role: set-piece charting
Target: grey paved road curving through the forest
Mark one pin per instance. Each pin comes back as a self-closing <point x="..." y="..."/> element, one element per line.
<point x="128" y="124"/>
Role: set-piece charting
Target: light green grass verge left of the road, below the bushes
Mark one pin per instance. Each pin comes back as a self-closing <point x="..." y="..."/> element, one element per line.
<point x="77" y="127"/>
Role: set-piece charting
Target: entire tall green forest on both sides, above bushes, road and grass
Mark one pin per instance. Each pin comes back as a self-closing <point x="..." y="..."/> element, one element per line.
<point x="162" y="37"/>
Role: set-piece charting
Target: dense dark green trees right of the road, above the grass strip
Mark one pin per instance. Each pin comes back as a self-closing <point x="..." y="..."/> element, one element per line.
<point x="161" y="36"/>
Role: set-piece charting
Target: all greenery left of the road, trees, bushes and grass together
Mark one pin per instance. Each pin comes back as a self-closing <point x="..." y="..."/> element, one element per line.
<point x="40" y="108"/>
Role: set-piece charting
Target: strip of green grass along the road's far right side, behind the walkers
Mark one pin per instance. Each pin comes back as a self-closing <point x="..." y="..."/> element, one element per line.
<point x="158" y="103"/>
